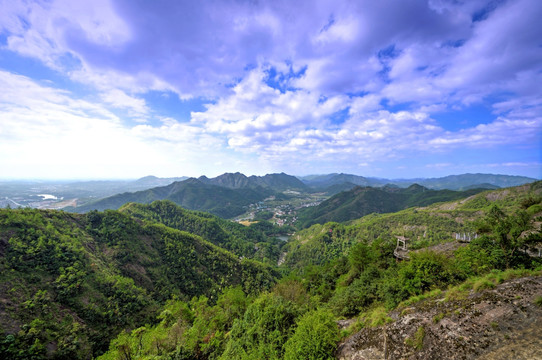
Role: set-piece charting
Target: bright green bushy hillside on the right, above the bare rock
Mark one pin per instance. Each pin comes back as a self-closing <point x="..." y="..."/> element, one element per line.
<point x="337" y="271"/>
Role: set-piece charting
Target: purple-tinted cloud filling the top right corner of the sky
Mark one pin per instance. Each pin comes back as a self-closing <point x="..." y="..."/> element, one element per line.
<point x="500" y="49"/>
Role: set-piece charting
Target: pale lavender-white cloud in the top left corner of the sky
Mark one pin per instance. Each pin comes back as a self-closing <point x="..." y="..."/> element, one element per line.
<point x="46" y="30"/>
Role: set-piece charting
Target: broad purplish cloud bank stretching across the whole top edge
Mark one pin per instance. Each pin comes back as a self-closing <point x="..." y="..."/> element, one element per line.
<point x="201" y="48"/>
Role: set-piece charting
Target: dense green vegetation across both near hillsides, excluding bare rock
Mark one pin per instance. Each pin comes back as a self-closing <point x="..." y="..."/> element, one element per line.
<point x="73" y="282"/>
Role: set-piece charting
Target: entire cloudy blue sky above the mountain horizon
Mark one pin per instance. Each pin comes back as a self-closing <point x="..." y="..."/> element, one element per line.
<point x="392" y="88"/>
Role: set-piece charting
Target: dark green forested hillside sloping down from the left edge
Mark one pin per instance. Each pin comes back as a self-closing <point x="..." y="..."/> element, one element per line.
<point x="69" y="282"/>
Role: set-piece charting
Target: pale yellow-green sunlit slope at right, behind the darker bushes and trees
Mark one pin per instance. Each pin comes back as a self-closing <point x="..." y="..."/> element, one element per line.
<point x="424" y="226"/>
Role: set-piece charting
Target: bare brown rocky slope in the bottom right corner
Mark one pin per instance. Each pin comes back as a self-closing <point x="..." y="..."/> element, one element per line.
<point x="500" y="323"/>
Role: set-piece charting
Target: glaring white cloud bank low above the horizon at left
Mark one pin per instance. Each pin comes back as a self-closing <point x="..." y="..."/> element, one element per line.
<point x="46" y="132"/>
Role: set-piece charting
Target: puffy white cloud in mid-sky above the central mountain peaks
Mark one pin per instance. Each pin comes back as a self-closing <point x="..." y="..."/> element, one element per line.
<point x="256" y="117"/>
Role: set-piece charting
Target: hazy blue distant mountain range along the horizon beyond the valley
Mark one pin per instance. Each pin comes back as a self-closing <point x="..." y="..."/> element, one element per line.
<point x="230" y="194"/>
